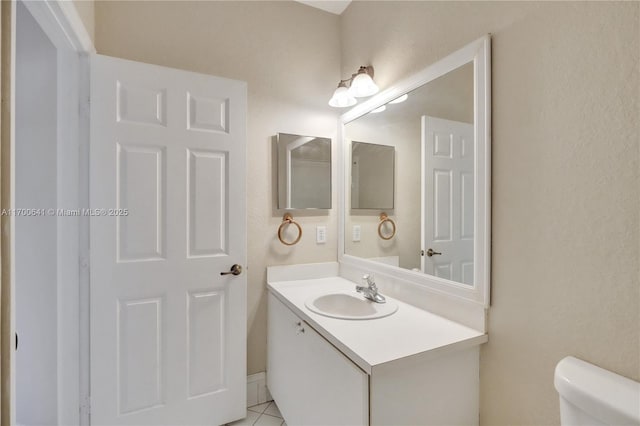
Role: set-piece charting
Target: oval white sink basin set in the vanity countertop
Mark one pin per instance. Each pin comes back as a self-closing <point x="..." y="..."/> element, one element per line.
<point x="351" y="306"/>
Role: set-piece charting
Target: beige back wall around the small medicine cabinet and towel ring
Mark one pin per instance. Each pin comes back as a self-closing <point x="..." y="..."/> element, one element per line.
<point x="290" y="56"/>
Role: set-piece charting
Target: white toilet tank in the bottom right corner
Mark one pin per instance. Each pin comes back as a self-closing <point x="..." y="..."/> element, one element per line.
<point x="591" y="395"/>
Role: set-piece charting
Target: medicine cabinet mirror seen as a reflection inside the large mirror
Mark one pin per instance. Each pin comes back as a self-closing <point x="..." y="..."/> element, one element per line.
<point x="372" y="176"/>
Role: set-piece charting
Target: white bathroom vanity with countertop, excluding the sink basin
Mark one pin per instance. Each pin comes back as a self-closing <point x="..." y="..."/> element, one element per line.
<point x="387" y="371"/>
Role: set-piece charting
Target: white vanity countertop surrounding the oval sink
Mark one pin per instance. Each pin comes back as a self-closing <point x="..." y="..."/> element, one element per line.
<point x="369" y="343"/>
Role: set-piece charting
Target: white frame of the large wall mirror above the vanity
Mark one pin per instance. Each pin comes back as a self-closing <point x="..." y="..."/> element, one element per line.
<point x="478" y="52"/>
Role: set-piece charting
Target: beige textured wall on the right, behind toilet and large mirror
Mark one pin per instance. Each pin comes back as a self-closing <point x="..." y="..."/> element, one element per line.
<point x="565" y="270"/>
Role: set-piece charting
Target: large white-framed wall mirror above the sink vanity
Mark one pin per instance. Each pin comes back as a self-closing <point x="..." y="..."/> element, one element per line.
<point x="437" y="125"/>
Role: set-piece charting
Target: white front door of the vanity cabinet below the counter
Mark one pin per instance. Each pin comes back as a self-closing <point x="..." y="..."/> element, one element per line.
<point x="312" y="382"/>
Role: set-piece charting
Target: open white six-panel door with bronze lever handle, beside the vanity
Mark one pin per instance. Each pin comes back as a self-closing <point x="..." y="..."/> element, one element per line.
<point x="168" y="332"/>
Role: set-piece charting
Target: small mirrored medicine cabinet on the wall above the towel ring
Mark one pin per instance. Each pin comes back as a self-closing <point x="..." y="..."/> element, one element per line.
<point x="304" y="172"/>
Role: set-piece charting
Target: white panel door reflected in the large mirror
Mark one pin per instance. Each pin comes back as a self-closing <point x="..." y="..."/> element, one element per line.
<point x="448" y="188"/>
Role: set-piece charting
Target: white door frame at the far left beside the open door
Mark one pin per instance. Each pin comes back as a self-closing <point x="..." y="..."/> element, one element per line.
<point x="60" y="21"/>
